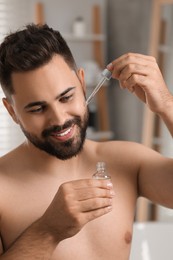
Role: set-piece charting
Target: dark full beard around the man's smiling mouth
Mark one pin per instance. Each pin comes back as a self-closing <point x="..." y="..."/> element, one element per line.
<point x="61" y="150"/>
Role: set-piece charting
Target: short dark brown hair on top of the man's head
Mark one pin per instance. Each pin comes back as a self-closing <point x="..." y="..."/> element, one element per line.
<point x="29" y="49"/>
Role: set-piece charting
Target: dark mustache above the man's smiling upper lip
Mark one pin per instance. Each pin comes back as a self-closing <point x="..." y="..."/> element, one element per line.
<point x="57" y="128"/>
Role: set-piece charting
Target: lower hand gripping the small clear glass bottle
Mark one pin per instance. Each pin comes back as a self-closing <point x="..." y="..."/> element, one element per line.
<point x="75" y="204"/>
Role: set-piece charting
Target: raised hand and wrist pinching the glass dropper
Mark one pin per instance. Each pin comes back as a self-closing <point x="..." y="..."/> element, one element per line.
<point x="141" y="75"/>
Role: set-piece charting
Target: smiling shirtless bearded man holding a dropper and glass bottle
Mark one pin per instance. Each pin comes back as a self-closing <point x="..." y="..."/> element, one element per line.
<point x="50" y="207"/>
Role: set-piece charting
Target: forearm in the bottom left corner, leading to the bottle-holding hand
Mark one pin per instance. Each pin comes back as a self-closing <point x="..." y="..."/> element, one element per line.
<point x="34" y="243"/>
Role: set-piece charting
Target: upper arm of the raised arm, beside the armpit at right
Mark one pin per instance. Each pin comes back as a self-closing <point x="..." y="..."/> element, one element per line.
<point x="155" y="178"/>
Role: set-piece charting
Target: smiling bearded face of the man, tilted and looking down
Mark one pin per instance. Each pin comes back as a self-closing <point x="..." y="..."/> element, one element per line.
<point x="49" y="105"/>
